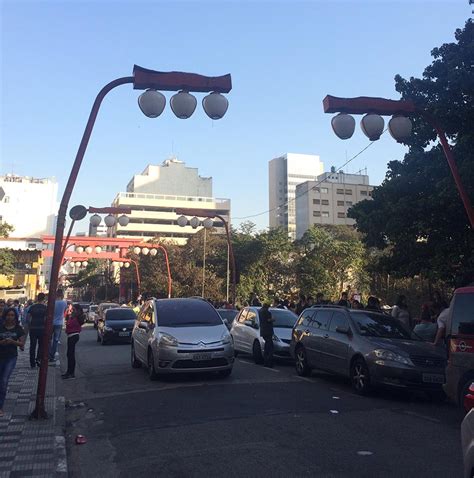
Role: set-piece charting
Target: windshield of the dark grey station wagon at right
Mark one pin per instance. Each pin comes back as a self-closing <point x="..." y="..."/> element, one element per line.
<point x="377" y="325"/>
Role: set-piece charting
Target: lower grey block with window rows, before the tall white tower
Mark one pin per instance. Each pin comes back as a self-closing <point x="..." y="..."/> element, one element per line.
<point x="327" y="200"/>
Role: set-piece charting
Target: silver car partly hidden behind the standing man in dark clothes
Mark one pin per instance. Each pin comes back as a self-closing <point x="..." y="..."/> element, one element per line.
<point x="245" y="332"/>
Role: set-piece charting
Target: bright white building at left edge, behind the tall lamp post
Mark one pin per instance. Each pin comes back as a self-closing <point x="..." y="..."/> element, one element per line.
<point x="29" y="205"/>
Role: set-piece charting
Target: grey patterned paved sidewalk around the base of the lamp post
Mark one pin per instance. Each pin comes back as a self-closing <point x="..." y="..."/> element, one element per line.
<point x="29" y="447"/>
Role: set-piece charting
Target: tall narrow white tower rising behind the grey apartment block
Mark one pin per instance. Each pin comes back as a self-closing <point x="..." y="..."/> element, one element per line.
<point x="285" y="173"/>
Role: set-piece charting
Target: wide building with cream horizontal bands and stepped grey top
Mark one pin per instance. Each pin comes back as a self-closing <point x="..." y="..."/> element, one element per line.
<point x="155" y="194"/>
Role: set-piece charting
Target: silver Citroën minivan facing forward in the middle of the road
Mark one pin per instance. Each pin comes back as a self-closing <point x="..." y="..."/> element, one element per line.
<point x="181" y="336"/>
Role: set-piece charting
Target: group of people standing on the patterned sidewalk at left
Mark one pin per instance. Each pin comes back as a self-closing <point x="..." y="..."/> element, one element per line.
<point x="18" y="321"/>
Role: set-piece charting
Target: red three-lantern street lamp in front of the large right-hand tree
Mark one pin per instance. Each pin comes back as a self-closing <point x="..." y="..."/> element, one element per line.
<point x="399" y="127"/>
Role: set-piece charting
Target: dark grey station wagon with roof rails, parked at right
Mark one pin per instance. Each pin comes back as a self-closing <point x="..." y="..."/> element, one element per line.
<point x="368" y="347"/>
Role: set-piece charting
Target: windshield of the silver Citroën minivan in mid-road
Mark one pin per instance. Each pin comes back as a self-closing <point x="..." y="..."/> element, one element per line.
<point x="186" y="313"/>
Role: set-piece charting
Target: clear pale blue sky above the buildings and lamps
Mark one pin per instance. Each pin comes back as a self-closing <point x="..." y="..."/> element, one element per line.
<point x="284" y="57"/>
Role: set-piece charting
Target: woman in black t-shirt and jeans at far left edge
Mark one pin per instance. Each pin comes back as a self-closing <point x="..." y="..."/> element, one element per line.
<point x="12" y="337"/>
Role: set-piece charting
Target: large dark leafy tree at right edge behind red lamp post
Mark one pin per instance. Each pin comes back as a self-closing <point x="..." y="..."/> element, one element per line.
<point x="416" y="216"/>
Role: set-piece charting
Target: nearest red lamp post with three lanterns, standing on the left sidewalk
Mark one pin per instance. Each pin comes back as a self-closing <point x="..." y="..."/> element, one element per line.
<point x="152" y="103"/>
